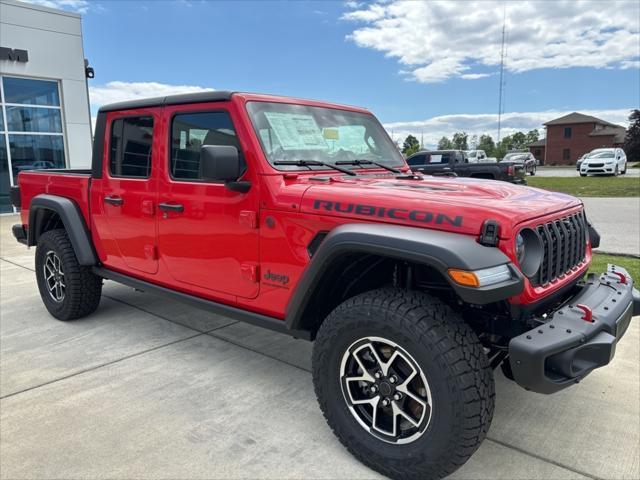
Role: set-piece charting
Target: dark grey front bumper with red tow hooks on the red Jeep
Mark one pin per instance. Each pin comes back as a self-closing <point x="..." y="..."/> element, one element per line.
<point x="570" y="345"/>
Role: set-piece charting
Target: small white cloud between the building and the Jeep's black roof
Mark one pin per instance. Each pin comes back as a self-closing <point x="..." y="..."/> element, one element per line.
<point x="120" y="91"/>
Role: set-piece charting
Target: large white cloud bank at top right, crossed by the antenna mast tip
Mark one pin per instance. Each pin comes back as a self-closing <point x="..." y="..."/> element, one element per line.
<point x="435" y="41"/>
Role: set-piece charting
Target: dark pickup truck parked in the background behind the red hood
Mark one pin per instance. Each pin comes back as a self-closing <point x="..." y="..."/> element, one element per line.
<point x="455" y="163"/>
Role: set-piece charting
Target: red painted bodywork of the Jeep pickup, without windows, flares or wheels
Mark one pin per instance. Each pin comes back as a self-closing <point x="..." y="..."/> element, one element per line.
<point x="224" y="244"/>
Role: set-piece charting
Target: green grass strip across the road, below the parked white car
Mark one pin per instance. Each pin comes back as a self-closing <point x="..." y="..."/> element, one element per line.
<point x="589" y="186"/>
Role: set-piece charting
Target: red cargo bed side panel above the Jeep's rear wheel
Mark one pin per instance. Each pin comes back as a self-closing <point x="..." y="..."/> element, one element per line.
<point x="74" y="186"/>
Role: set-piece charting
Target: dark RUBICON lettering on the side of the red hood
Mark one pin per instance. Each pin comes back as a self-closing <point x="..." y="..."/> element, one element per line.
<point x="384" y="212"/>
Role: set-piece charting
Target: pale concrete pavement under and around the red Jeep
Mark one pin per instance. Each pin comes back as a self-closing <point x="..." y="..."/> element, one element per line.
<point x="146" y="388"/>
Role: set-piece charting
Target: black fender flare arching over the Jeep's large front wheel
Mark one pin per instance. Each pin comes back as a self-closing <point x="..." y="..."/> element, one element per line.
<point x="440" y="250"/>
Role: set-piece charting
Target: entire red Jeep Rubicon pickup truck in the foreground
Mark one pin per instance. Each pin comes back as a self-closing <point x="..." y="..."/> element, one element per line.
<point x="302" y="217"/>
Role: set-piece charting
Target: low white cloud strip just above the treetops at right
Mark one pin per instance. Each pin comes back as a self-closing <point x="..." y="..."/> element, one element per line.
<point x="433" y="129"/>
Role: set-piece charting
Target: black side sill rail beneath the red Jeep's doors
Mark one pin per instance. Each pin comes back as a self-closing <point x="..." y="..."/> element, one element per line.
<point x="234" y="313"/>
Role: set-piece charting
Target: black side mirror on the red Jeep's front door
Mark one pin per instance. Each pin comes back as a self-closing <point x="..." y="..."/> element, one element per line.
<point x="221" y="163"/>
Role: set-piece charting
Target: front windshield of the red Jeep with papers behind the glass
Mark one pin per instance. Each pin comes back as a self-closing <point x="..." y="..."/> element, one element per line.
<point x="299" y="132"/>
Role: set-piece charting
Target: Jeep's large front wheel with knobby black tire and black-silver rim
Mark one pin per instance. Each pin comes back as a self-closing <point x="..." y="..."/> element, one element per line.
<point x="404" y="383"/>
